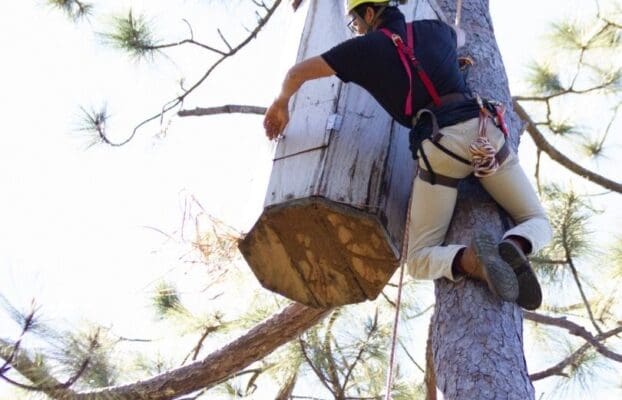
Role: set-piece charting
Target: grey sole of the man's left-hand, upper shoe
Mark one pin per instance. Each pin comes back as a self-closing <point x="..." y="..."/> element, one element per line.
<point x="500" y="276"/>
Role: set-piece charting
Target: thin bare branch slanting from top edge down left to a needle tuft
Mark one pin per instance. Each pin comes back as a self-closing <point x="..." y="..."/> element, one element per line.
<point x="180" y="99"/>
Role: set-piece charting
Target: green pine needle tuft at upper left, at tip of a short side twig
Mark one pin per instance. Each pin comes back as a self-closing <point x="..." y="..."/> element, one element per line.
<point x="133" y="35"/>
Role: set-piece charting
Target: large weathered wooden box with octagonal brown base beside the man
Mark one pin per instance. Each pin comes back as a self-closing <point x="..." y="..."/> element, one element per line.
<point x="333" y="225"/>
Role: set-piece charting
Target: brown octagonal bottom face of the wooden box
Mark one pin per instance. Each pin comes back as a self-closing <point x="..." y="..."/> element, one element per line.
<point x="320" y="253"/>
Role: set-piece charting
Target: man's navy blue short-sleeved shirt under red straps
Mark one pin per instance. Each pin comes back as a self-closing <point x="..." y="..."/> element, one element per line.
<point x="372" y="62"/>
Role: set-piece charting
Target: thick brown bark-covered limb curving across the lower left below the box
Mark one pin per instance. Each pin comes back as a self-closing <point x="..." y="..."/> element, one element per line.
<point x="215" y="368"/>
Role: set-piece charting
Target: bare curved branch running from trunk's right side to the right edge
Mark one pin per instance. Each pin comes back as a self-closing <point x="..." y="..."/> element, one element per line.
<point x="560" y="158"/>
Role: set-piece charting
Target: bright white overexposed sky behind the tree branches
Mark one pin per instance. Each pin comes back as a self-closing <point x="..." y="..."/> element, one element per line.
<point x="73" y="221"/>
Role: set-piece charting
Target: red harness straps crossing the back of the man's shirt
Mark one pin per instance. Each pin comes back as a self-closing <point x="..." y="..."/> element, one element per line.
<point x="407" y="53"/>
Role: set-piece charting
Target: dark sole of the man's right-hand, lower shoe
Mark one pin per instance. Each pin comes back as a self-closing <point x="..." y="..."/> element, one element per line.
<point x="529" y="291"/>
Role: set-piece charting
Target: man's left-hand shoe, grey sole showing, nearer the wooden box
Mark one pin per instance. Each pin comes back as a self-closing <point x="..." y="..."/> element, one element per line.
<point x="482" y="262"/>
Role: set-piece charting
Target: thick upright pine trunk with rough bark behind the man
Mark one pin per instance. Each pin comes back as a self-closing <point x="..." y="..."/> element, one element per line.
<point x="477" y="339"/>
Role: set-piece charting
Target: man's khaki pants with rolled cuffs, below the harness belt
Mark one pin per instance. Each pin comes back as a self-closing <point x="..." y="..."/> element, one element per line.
<point x="433" y="205"/>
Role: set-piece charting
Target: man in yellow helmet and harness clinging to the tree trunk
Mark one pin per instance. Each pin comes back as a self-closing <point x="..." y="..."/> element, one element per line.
<point x="453" y="134"/>
